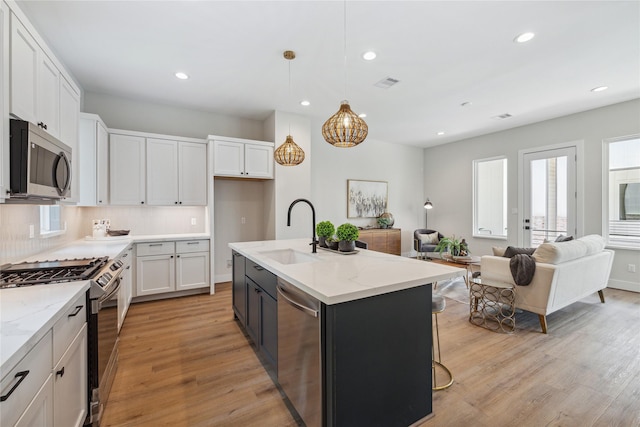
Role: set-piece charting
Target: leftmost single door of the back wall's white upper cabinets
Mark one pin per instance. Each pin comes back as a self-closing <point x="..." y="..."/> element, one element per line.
<point x="127" y="167"/>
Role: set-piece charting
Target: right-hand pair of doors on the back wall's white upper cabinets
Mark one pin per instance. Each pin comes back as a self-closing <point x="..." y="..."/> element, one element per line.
<point x="176" y="172"/>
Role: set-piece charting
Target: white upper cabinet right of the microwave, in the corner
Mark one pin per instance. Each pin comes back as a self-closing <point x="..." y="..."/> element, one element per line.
<point x="93" y="161"/>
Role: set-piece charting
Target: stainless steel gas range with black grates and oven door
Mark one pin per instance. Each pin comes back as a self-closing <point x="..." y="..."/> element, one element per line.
<point x="102" y="318"/>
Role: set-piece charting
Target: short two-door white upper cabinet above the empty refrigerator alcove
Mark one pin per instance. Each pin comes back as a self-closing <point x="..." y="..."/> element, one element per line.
<point x="234" y="157"/>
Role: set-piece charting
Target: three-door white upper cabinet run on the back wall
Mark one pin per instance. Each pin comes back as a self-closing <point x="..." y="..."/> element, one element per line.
<point x="157" y="170"/>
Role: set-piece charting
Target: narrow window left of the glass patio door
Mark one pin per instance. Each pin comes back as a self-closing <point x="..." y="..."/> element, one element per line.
<point x="490" y="198"/>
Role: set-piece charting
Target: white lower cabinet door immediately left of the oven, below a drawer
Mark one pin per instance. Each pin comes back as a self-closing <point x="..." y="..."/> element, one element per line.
<point x="70" y="383"/>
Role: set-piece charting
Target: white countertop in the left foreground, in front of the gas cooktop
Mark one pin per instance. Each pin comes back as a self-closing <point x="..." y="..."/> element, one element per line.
<point x="27" y="313"/>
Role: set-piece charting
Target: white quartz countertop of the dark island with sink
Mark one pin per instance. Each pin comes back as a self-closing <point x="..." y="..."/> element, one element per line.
<point x="334" y="278"/>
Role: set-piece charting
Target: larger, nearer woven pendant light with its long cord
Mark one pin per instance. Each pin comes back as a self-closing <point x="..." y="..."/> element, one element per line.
<point x="345" y="129"/>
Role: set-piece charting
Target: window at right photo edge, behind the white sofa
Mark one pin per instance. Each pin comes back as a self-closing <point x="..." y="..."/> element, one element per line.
<point x="621" y="190"/>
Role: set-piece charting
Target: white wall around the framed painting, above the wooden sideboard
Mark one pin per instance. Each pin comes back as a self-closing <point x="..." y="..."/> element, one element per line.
<point x="401" y="166"/>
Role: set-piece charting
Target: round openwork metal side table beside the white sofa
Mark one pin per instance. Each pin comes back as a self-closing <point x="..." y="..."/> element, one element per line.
<point x="492" y="305"/>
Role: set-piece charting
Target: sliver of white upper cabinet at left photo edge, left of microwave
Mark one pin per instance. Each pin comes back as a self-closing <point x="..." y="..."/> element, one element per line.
<point x="4" y="99"/>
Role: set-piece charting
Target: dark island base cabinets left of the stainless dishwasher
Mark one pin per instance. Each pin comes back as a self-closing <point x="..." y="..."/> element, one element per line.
<point x="255" y="292"/>
